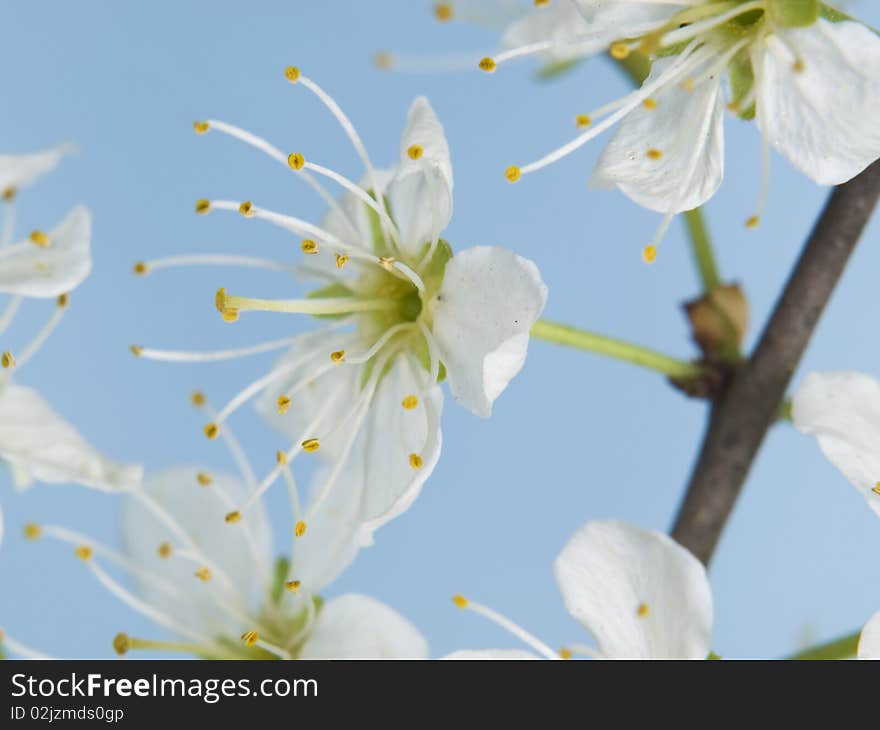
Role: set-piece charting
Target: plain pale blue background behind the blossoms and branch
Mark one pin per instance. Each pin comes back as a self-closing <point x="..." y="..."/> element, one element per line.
<point x="574" y="438"/>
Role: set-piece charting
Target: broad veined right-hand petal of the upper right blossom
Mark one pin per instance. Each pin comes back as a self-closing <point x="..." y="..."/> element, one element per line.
<point x="823" y="119"/>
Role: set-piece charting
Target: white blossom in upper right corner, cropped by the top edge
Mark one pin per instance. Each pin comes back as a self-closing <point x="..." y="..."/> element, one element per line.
<point x="809" y="74"/>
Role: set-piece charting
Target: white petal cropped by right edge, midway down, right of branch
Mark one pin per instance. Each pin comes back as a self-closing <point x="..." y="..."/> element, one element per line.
<point x="842" y="410"/>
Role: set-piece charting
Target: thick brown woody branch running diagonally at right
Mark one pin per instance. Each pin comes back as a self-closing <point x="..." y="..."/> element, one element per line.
<point x="742" y="415"/>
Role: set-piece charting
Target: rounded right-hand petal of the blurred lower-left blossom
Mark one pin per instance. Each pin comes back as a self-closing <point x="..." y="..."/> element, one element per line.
<point x="359" y="627"/>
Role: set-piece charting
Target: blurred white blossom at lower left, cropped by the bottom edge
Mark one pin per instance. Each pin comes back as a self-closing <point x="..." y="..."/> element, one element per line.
<point x="212" y="586"/>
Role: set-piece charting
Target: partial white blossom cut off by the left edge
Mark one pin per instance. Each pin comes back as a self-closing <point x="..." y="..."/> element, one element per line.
<point x="35" y="442"/>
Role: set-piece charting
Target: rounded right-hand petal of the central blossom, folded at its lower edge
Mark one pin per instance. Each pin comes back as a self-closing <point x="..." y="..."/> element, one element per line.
<point x="487" y="304"/>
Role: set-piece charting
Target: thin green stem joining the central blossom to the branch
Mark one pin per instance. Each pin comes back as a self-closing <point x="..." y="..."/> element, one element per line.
<point x="591" y="342"/>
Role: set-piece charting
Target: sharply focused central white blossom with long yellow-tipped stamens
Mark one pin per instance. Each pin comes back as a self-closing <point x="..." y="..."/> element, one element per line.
<point x="401" y="313"/>
